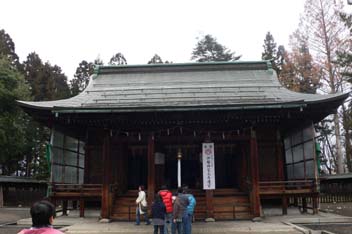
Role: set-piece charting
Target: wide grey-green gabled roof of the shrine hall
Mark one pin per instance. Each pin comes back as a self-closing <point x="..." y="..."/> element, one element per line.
<point x="192" y="86"/>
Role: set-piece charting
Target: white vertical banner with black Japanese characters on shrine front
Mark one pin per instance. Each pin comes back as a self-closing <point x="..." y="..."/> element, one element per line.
<point x="208" y="166"/>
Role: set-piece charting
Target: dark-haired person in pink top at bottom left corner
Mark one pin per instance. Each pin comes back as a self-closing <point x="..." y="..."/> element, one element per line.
<point x="43" y="213"/>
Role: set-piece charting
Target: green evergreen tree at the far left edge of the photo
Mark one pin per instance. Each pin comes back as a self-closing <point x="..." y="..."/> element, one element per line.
<point x="12" y="136"/>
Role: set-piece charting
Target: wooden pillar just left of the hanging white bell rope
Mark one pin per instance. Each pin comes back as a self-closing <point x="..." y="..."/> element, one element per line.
<point x="151" y="169"/>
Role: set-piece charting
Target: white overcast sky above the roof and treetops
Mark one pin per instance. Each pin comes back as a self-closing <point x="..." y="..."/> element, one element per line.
<point x="65" y="32"/>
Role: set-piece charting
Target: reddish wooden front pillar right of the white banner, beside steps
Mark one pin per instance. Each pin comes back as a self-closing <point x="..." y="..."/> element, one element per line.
<point x="254" y="167"/>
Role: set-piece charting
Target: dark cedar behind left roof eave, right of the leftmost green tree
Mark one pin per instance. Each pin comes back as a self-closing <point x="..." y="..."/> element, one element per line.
<point x="47" y="82"/>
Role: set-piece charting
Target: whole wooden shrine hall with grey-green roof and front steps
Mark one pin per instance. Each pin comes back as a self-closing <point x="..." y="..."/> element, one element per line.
<point x="148" y="125"/>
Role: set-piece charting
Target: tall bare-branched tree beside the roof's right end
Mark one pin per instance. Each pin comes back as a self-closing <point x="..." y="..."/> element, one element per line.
<point x="326" y="33"/>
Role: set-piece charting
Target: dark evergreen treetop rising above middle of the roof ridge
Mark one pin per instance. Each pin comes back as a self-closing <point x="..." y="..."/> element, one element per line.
<point x="209" y="50"/>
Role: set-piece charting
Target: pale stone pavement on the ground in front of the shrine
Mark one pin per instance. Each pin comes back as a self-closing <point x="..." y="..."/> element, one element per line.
<point x="273" y="222"/>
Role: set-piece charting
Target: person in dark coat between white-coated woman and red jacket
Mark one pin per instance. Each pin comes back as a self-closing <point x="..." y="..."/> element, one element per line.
<point x="158" y="214"/>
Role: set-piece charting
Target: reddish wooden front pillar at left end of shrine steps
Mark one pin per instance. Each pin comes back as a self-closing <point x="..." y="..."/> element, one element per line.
<point x="105" y="196"/>
